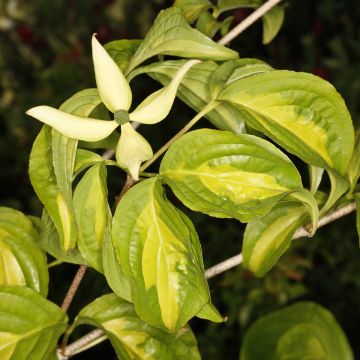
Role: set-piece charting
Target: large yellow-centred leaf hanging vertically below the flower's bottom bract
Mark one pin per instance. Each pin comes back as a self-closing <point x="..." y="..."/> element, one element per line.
<point x="159" y="251"/>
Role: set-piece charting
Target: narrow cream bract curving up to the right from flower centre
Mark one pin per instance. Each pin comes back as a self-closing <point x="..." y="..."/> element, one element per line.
<point x="158" y="105"/>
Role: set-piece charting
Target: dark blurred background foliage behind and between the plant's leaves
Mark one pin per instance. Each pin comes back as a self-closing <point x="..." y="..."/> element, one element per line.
<point x="45" y="58"/>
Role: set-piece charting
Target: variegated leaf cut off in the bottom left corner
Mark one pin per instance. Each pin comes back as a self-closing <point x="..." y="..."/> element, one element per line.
<point x="29" y="324"/>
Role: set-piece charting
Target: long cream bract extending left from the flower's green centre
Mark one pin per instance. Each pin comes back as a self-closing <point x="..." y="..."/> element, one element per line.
<point x="73" y="126"/>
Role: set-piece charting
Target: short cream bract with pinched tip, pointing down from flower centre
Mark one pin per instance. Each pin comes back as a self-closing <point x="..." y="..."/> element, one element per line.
<point x="132" y="149"/>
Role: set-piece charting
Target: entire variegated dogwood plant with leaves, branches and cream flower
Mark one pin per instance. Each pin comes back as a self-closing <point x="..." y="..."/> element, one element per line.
<point x="146" y="248"/>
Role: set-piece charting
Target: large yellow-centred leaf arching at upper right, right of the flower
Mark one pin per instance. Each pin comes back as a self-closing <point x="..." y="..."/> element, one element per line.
<point x="299" y="111"/>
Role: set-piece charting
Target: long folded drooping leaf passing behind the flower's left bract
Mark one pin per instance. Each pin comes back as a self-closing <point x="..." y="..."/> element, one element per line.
<point x="51" y="167"/>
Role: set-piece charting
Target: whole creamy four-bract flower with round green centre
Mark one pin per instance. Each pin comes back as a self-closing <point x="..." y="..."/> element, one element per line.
<point x="115" y="93"/>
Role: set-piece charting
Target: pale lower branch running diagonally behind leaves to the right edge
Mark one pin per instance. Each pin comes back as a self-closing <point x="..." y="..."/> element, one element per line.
<point x="228" y="264"/>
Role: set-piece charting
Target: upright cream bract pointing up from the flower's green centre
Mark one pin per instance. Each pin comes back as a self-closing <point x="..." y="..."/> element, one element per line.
<point x="113" y="88"/>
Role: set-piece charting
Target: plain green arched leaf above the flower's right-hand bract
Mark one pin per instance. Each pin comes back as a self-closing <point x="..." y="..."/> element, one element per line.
<point x="172" y="35"/>
